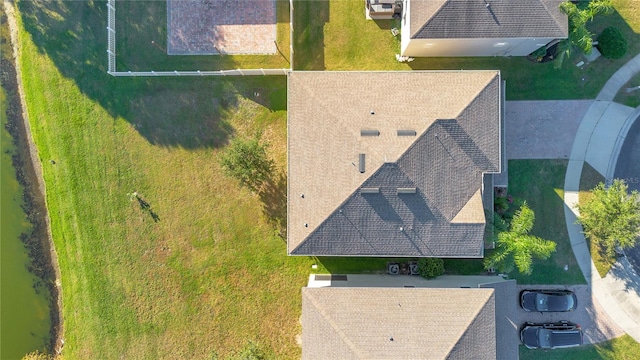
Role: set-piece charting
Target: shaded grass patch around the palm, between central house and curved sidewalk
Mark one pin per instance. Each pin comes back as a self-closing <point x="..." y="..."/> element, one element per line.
<point x="541" y="183"/>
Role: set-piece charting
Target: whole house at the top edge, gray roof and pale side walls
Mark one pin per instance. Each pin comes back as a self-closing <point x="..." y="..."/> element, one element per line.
<point x="449" y="28"/>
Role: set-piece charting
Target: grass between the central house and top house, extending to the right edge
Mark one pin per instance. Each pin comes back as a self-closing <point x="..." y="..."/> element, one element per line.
<point x="334" y="35"/>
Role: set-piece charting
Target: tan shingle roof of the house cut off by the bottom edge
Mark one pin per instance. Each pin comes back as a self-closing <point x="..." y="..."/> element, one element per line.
<point x="398" y="323"/>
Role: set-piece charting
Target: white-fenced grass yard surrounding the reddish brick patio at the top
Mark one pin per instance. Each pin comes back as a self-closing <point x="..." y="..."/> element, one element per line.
<point x="141" y="33"/>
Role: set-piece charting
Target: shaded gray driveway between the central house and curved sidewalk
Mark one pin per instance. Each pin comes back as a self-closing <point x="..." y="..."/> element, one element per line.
<point x="542" y="129"/>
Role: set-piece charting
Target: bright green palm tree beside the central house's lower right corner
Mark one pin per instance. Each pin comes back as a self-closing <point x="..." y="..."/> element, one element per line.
<point x="516" y="247"/>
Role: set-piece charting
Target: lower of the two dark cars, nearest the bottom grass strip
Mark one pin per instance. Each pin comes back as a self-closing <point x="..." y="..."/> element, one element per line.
<point x="551" y="336"/>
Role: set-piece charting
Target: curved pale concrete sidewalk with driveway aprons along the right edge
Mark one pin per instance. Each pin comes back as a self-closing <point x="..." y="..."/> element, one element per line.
<point x="598" y="141"/>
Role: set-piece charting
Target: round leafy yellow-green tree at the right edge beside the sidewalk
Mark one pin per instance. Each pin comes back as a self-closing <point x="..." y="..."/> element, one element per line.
<point x="611" y="217"/>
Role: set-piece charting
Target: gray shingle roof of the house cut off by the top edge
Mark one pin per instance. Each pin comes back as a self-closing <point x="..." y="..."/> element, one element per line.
<point x="456" y="19"/>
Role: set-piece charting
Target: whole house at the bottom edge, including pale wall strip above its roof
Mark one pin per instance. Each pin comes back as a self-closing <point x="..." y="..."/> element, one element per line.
<point x="376" y="316"/>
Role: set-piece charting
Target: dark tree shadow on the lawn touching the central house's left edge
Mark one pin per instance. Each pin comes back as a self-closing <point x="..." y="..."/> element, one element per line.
<point x="273" y="196"/>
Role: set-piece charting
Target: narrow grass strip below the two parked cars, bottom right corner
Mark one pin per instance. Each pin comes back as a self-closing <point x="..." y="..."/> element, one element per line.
<point x="622" y="348"/>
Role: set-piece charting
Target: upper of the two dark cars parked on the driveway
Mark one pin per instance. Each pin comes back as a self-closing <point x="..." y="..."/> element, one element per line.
<point x="548" y="300"/>
